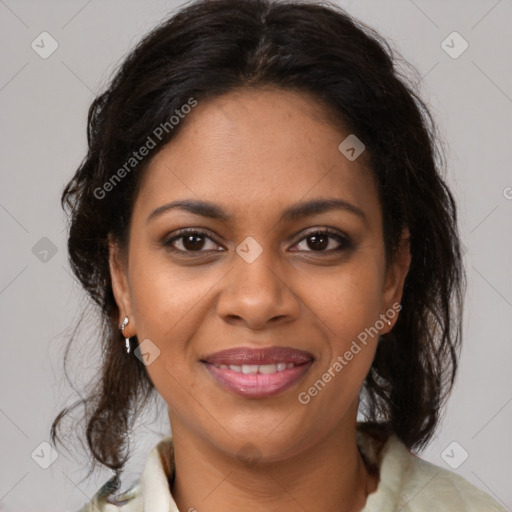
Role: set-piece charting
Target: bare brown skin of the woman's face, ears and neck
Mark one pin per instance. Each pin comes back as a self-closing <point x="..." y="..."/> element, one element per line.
<point x="254" y="153"/>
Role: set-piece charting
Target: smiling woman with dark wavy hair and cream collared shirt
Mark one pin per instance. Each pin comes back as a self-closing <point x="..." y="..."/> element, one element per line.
<point x="262" y="220"/>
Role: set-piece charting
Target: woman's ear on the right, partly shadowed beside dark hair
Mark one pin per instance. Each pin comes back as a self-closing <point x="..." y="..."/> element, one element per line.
<point x="395" y="277"/>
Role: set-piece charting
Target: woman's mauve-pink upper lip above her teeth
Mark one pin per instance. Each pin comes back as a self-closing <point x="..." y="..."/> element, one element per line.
<point x="267" y="355"/>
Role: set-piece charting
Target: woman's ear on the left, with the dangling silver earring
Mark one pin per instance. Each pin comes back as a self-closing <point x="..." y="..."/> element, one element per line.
<point x="118" y="265"/>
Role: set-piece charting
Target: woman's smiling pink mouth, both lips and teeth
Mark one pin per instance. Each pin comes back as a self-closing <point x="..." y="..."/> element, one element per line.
<point x="258" y="373"/>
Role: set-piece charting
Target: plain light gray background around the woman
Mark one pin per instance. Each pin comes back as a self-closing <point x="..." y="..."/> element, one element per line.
<point x="44" y="104"/>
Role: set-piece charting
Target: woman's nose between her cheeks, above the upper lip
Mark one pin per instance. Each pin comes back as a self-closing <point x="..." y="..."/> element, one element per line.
<point x="258" y="294"/>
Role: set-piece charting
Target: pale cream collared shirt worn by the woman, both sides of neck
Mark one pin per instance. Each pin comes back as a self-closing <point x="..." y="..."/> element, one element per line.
<point x="406" y="483"/>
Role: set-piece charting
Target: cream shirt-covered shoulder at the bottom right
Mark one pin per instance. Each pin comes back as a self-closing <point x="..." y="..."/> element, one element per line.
<point x="411" y="484"/>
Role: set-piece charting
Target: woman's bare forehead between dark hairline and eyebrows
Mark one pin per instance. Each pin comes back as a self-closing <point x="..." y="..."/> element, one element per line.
<point x="256" y="152"/>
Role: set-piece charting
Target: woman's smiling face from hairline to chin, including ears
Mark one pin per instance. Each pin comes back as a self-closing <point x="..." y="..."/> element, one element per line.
<point x="258" y="278"/>
